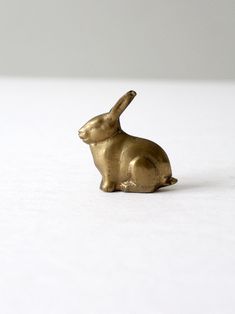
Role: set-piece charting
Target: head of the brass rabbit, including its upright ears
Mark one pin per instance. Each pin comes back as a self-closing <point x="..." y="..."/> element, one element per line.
<point x="105" y="125"/>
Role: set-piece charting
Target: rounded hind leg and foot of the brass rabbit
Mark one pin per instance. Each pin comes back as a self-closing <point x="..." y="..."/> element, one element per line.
<point x="142" y="176"/>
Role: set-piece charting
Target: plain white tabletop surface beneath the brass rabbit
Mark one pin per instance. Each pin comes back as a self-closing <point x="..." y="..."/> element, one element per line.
<point x="67" y="247"/>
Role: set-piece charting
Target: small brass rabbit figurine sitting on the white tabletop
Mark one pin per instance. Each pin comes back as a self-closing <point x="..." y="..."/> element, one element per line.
<point x="126" y="163"/>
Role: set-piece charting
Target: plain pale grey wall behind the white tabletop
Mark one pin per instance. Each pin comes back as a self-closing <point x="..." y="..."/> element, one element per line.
<point x="106" y="38"/>
